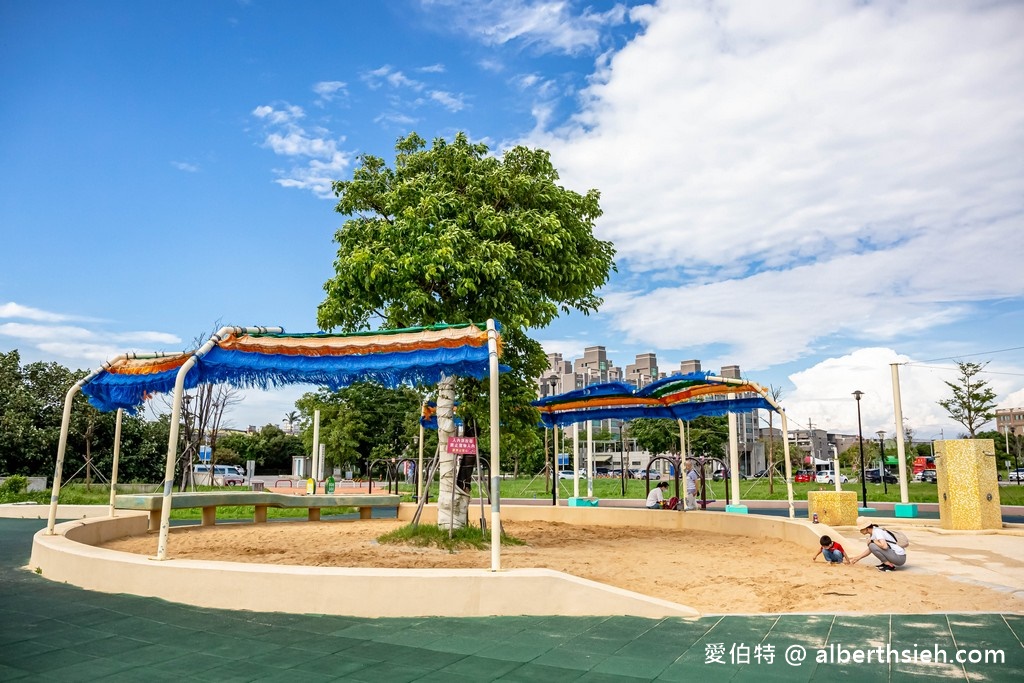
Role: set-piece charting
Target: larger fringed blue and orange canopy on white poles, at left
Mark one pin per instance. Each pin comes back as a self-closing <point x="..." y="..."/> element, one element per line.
<point x="260" y="357"/>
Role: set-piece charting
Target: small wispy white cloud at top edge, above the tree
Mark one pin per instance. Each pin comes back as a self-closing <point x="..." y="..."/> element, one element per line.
<point x="547" y="26"/>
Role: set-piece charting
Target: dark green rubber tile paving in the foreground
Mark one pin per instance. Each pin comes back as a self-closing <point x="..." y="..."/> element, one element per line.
<point x="54" y="632"/>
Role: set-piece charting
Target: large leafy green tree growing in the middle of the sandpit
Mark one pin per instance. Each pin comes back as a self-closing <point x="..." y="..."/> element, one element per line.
<point x="454" y="235"/>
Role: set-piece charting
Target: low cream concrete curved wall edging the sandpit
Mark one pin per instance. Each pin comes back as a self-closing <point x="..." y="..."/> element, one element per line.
<point x="71" y="557"/>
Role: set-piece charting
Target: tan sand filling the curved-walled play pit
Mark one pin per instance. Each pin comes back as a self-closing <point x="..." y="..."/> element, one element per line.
<point x="716" y="575"/>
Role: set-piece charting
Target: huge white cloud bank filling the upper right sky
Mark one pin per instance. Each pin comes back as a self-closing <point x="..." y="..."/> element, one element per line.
<point x="804" y="172"/>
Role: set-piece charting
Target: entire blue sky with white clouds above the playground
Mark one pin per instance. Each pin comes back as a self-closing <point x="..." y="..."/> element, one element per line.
<point x="810" y="191"/>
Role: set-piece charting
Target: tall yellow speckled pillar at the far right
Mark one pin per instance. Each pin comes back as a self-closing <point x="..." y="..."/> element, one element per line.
<point x="969" y="490"/>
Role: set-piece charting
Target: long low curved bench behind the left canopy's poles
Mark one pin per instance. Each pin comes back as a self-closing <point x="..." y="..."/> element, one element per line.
<point x="210" y="501"/>
